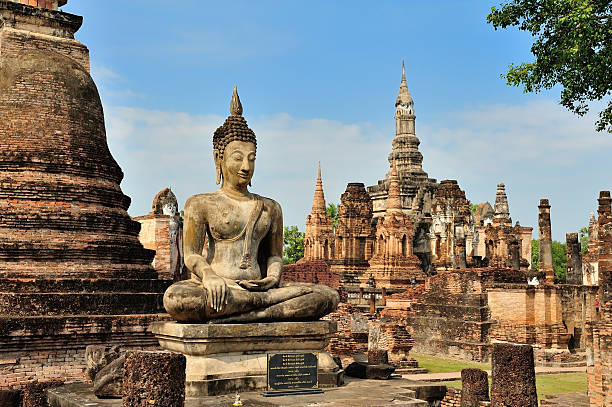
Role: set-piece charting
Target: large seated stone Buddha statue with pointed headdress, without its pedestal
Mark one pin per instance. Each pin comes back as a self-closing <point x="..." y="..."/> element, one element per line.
<point x="233" y="243"/>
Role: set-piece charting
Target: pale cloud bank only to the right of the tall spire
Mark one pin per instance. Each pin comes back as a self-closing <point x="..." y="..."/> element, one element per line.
<point x="538" y="149"/>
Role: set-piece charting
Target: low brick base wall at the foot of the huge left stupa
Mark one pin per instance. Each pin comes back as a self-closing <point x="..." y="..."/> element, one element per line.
<point x="54" y="349"/>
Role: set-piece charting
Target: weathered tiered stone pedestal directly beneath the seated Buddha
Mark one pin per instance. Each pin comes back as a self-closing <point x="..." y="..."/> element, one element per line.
<point x="229" y="358"/>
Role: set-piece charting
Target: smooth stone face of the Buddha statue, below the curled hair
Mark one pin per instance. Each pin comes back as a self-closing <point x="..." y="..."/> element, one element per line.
<point x="238" y="163"/>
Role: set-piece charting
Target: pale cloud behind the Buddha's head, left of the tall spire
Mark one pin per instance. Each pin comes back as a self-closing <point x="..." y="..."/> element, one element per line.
<point x="159" y="149"/>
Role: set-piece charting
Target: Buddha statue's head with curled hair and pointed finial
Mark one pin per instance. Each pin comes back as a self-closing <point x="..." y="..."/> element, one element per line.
<point x="234" y="146"/>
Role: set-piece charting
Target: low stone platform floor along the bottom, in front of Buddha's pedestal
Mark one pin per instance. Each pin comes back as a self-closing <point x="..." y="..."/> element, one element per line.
<point x="356" y="393"/>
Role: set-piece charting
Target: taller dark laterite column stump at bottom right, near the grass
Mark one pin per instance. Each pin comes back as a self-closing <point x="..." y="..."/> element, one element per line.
<point x="513" y="376"/>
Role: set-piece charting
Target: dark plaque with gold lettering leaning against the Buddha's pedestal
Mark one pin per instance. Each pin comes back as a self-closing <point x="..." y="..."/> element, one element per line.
<point x="293" y="371"/>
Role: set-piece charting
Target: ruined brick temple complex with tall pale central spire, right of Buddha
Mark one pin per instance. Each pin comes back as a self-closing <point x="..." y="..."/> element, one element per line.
<point x="444" y="231"/>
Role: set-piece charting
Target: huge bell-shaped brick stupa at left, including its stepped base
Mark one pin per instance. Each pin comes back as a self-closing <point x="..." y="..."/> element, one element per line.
<point x="72" y="271"/>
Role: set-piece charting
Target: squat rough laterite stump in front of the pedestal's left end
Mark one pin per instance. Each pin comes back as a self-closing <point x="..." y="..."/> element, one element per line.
<point x="154" y="379"/>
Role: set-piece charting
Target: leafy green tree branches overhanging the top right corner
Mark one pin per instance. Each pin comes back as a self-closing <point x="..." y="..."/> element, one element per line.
<point x="572" y="48"/>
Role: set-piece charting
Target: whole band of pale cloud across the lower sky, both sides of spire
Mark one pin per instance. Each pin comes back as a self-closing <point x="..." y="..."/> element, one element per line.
<point x="538" y="150"/>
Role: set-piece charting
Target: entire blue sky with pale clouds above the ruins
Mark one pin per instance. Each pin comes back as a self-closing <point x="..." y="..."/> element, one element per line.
<point x="318" y="81"/>
